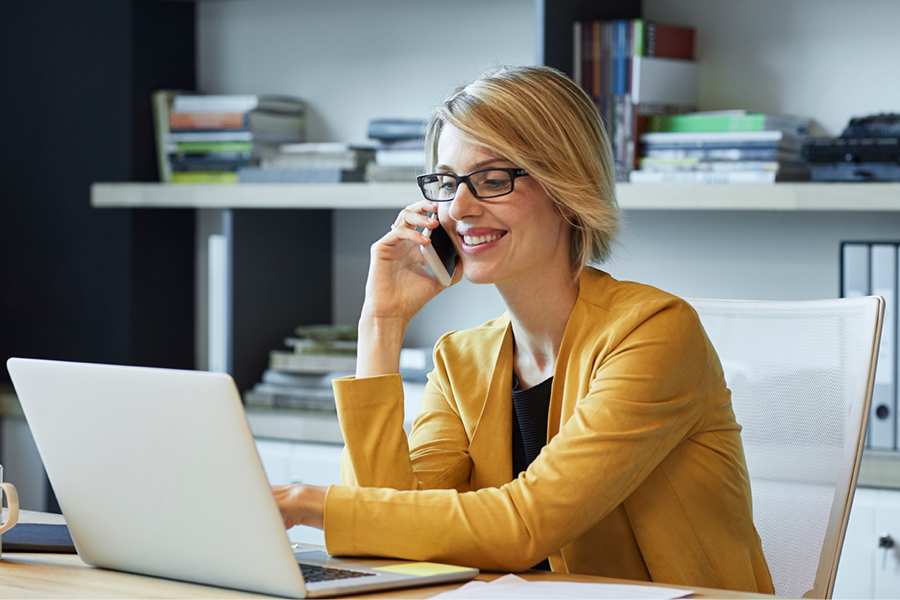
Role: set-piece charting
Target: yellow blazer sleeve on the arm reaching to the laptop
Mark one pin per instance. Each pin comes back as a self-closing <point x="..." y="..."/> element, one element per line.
<point x="644" y="399"/>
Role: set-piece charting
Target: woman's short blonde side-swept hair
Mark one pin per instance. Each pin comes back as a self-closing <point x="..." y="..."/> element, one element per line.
<point x="539" y="119"/>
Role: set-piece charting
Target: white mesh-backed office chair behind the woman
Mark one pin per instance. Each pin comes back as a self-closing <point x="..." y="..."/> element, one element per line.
<point x="801" y="377"/>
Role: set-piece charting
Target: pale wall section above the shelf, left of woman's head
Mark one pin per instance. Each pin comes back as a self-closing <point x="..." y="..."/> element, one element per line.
<point x="355" y="60"/>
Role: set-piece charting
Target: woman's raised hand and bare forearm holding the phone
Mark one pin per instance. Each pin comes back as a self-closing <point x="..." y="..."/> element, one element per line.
<point x="397" y="287"/>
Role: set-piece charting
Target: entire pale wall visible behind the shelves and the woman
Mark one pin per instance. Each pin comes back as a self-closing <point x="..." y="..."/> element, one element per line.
<point x="358" y="60"/>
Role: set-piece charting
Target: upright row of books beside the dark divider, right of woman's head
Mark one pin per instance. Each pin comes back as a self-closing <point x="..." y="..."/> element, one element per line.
<point x="634" y="69"/>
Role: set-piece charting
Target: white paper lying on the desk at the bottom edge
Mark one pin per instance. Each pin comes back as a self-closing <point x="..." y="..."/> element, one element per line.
<point x="514" y="587"/>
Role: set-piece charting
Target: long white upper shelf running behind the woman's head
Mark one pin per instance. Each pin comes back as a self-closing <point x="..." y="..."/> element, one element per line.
<point x="766" y="197"/>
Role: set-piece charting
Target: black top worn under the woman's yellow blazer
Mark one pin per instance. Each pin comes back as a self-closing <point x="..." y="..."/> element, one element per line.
<point x="530" y="410"/>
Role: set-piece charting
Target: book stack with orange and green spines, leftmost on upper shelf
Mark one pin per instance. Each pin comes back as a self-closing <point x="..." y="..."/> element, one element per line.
<point x="209" y="138"/>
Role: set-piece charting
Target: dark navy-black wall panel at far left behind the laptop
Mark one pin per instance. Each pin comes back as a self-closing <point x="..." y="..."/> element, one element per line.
<point x="76" y="79"/>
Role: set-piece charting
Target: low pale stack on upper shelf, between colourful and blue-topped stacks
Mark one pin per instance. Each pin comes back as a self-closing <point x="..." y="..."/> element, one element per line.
<point x="310" y="163"/>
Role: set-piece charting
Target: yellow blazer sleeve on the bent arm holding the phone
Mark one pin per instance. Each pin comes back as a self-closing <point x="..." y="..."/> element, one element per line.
<point x="377" y="452"/>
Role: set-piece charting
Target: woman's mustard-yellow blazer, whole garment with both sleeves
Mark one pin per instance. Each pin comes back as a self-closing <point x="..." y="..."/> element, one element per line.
<point x="643" y="476"/>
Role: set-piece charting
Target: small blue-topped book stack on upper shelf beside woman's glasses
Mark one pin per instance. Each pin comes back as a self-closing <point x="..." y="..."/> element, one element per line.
<point x="400" y="155"/>
